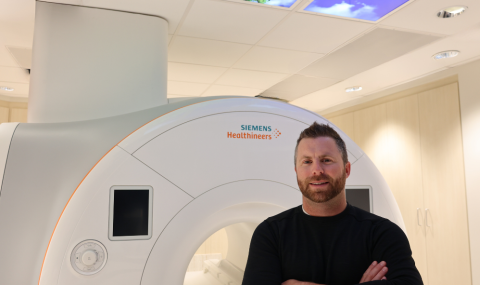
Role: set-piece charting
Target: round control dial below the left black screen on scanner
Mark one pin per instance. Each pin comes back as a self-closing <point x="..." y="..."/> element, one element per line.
<point x="88" y="257"/>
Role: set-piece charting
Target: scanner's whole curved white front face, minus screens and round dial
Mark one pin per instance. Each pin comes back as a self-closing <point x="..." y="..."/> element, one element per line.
<point x="203" y="179"/>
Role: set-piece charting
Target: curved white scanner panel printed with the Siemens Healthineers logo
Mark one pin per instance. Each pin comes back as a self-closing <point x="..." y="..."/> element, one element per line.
<point x="203" y="153"/>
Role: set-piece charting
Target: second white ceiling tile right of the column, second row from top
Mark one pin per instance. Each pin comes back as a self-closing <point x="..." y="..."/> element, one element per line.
<point x="276" y="60"/>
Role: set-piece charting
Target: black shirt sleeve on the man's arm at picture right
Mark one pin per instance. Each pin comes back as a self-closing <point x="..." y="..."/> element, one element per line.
<point x="390" y="244"/>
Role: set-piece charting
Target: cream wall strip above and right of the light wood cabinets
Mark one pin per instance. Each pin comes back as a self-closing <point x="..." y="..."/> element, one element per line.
<point x="469" y="88"/>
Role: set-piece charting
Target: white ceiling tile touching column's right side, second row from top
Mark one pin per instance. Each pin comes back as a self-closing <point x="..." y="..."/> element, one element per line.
<point x="205" y="52"/>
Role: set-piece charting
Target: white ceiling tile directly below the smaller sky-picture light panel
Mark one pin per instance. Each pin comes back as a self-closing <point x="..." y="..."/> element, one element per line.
<point x="229" y="21"/>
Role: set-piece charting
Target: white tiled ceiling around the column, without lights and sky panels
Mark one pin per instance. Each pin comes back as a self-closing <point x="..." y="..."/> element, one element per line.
<point x="230" y="47"/>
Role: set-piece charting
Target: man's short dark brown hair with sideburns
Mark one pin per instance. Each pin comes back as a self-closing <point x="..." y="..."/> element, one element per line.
<point x="322" y="130"/>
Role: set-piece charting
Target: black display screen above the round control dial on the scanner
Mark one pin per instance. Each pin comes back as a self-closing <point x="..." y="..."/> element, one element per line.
<point x="130" y="213"/>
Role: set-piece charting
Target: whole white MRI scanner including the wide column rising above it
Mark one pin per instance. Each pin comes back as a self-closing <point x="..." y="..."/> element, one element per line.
<point x="109" y="183"/>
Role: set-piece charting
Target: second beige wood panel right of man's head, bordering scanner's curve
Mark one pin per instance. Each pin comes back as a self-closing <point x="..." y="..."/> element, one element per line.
<point x="370" y="132"/>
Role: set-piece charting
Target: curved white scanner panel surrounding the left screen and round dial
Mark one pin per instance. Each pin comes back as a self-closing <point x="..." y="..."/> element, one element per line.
<point x="86" y="217"/>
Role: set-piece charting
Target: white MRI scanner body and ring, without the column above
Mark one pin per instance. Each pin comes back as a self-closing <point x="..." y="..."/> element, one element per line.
<point x="145" y="189"/>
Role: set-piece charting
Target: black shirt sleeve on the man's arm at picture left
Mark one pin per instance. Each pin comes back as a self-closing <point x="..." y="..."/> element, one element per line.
<point x="263" y="263"/>
